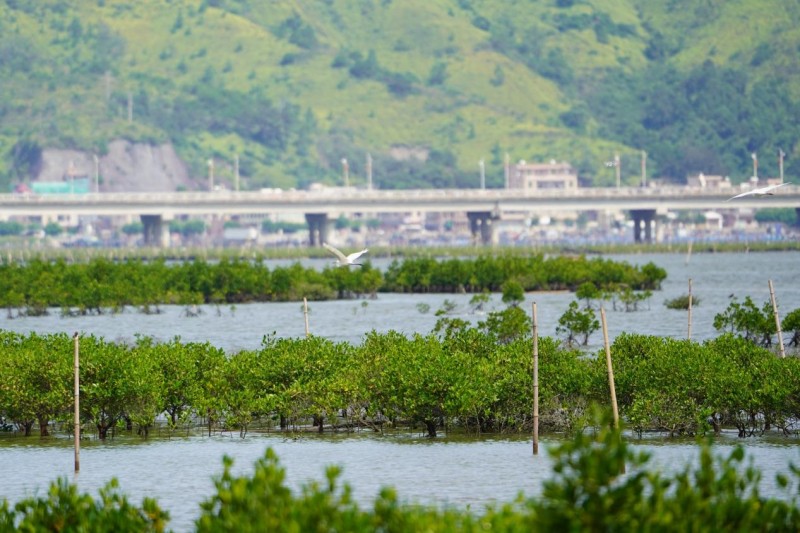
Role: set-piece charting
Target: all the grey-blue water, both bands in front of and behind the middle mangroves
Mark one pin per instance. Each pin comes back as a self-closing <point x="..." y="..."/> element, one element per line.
<point x="460" y="472"/>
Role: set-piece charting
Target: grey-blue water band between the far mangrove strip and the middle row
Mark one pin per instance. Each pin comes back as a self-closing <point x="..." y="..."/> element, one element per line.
<point x="714" y="278"/>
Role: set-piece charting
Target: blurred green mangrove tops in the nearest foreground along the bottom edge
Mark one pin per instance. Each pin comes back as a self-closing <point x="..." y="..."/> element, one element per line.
<point x="587" y="491"/>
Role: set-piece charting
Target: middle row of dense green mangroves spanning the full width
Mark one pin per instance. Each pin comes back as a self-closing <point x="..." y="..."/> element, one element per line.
<point x="474" y="379"/>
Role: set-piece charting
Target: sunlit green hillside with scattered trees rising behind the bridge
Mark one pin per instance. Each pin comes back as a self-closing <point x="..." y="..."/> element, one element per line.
<point x="427" y="88"/>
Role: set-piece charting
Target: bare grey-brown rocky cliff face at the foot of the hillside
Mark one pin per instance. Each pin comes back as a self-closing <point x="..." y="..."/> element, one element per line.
<point x="127" y="167"/>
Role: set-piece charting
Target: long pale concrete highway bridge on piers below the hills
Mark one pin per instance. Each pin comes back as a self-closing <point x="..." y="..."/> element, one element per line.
<point x="482" y="206"/>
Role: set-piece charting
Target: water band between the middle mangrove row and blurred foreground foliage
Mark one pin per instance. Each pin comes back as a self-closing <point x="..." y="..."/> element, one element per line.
<point x="455" y="471"/>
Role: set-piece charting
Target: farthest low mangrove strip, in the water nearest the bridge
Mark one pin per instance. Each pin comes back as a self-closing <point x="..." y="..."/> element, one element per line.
<point x="101" y="285"/>
